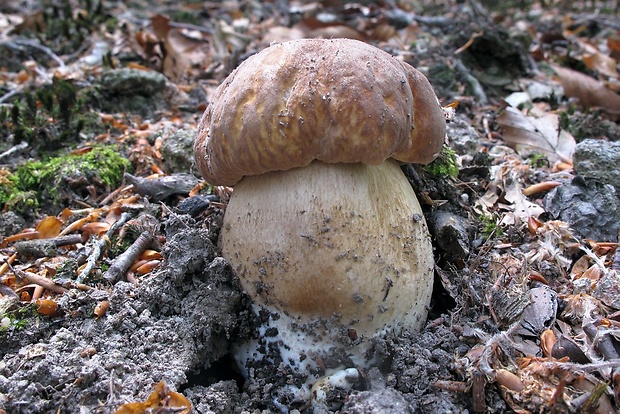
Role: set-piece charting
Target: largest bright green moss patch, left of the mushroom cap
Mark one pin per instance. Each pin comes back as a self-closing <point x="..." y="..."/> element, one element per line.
<point x="60" y="180"/>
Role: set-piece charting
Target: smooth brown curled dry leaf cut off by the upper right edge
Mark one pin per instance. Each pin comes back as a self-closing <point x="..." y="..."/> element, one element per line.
<point x="590" y="92"/>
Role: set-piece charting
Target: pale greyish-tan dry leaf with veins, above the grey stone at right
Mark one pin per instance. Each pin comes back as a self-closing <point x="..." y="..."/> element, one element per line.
<point x="537" y="134"/>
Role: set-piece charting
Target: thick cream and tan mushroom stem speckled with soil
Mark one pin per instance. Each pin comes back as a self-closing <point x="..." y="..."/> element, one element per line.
<point x="341" y="249"/>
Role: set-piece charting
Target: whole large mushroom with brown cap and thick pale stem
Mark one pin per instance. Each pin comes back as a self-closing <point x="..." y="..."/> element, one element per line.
<point x="323" y="228"/>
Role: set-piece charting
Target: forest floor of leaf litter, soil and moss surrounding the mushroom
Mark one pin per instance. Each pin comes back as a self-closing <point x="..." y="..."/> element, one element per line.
<point x="99" y="107"/>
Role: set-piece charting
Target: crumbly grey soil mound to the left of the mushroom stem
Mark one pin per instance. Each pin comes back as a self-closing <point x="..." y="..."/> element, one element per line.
<point x="178" y="321"/>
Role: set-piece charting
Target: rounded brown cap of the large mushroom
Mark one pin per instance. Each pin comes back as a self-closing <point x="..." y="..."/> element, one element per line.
<point x="337" y="101"/>
